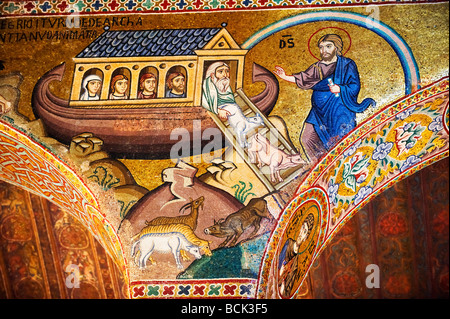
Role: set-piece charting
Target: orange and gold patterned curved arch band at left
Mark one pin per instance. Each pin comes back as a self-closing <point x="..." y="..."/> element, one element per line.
<point x="28" y="165"/>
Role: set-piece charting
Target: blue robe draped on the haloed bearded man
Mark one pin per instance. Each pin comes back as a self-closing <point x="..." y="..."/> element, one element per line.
<point x="333" y="117"/>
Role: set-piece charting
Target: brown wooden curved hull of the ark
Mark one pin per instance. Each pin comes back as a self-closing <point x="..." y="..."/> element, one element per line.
<point x="141" y="133"/>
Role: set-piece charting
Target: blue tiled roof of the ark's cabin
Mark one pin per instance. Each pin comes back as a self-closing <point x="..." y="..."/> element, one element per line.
<point x="168" y="42"/>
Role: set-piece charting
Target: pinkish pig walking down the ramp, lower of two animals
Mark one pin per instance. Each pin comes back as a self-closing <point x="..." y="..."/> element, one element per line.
<point x="262" y="152"/>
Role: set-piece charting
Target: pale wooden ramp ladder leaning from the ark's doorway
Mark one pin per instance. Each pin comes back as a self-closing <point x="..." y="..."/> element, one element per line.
<point x="269" y="131"/>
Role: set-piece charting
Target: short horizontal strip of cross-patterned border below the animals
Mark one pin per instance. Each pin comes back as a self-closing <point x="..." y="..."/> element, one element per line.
<point x="189" y="289"/>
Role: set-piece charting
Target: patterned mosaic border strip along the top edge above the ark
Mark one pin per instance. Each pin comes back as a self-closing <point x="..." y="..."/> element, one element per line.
<point x="53" y="7"/>
